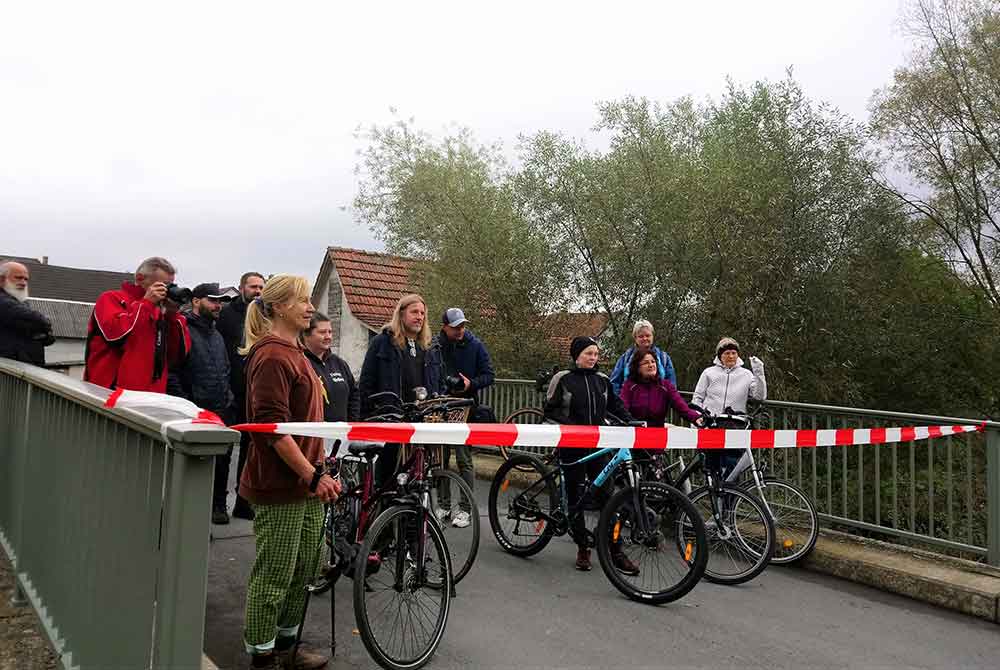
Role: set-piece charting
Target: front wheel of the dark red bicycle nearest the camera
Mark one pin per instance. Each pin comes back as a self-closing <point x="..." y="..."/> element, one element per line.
<point x="401" y="604"/>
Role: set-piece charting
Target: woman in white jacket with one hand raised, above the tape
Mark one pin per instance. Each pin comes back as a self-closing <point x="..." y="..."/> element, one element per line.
<point x="727" y="384"/>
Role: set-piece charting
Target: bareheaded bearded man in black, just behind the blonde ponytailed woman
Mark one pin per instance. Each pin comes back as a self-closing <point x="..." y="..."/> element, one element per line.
<point x="230" y="324"/>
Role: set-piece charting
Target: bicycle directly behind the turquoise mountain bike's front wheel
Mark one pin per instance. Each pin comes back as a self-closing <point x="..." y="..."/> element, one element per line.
<point x="740" y="530"/>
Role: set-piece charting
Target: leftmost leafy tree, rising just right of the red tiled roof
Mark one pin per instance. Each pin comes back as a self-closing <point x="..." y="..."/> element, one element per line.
<point x="450" y="205"/>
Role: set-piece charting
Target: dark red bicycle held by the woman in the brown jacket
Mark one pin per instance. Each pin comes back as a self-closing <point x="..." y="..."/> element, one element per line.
<point x="388" y="540"/>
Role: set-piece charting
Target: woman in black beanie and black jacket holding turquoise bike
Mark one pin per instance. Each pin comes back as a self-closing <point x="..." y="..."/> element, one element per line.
<point x="582" y="396"/>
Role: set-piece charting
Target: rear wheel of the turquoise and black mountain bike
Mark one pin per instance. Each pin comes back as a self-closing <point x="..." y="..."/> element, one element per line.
<point x="521" y="496"/>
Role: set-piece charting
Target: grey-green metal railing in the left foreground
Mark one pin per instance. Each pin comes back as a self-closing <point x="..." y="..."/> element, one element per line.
<point x="105" y="518"/>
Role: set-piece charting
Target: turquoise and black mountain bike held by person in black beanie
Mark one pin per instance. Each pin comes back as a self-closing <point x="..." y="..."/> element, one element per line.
<point x="643" y="520"/>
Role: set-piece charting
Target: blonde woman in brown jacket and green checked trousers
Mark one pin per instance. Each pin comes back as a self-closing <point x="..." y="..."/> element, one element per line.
<point x="281" y="479"/>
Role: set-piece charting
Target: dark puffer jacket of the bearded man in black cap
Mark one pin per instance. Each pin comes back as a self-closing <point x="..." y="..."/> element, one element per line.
<point x="203" y="377"/>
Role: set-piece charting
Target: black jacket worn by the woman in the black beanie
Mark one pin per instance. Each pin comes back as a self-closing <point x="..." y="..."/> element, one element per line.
<point x="582" y="397"/>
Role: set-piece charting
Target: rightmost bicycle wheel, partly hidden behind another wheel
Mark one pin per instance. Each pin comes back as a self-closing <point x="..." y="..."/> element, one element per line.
<point x="796" y="523"/>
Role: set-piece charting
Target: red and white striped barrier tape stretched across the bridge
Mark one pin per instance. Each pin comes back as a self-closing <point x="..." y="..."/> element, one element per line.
<point x="551" y="435"/>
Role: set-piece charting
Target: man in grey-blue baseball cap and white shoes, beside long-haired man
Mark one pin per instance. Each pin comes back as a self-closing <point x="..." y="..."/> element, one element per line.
<point x="463" y="356"/>
